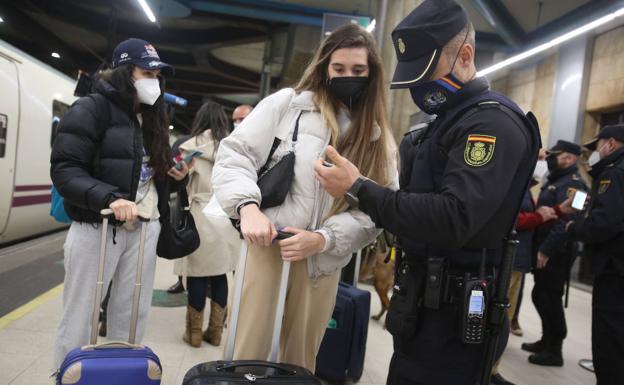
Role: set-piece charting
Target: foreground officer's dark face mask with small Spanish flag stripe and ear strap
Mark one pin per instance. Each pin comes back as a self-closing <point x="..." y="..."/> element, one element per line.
<point x="432" y="96"/>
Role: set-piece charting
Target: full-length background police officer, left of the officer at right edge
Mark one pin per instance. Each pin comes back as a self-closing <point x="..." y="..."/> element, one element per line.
<point x="555" y="255"/>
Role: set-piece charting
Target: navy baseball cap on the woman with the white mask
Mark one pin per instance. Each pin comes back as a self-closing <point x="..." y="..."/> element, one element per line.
<point x="140" y="53"/>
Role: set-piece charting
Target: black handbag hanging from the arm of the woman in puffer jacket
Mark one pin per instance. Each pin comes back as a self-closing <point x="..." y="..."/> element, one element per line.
<point x="181" y="238"/>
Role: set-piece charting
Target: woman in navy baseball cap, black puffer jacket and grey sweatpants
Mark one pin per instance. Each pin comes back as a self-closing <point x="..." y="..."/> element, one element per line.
<point x="112" y="151"/>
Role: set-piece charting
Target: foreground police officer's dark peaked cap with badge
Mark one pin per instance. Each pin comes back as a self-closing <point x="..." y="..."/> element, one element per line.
<point x="418" y="40"/>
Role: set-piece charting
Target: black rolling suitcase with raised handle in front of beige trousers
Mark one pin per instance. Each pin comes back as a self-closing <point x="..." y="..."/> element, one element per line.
<point x="246" y="371"/>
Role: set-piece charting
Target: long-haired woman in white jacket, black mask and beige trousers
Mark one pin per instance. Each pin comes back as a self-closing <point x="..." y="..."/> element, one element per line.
<point x="339" y="100"/>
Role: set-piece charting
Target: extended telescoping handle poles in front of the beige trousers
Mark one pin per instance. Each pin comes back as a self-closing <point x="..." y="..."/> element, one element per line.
<point x="238" y="291"/>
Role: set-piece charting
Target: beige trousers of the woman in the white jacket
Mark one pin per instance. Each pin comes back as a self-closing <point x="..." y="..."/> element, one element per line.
<point x="309" y="306"/>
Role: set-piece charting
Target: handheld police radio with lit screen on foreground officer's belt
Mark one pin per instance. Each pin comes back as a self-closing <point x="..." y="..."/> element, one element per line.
<point x="474" y="309"/>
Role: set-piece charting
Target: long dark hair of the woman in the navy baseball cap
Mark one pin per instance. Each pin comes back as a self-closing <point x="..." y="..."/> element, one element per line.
<point x="155" y="120"/>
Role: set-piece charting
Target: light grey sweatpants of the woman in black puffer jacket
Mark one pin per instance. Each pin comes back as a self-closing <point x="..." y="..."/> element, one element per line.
<point x="82" y="249"/>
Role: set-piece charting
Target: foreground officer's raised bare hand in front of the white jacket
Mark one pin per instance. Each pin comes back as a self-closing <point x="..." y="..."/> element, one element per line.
<point x="336" y="178"/>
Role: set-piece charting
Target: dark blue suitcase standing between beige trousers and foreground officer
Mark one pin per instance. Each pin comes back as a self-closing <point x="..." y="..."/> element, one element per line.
<point x="343" y="348"/>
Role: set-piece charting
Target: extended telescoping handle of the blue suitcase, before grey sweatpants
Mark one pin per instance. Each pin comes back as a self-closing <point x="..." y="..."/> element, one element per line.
<point x="106" y="215"/>
